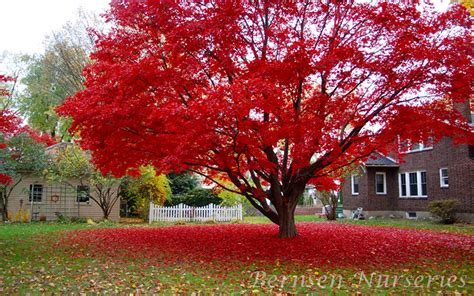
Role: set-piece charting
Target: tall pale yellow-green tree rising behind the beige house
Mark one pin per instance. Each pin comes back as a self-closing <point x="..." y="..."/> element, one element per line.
<point x="57" y="74"/>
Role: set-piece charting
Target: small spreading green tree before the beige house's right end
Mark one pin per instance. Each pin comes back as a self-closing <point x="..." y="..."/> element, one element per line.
<point x="72" y="163"/>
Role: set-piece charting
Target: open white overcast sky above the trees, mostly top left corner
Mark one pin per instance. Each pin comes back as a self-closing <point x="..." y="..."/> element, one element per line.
<point x="25" y="23"/>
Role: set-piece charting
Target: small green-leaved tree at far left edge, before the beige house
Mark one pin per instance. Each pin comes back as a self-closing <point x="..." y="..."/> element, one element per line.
<point x="22" y="155"/>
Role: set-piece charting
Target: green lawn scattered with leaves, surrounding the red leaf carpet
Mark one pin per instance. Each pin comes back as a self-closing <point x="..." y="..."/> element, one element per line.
<point x="32" y="263"/>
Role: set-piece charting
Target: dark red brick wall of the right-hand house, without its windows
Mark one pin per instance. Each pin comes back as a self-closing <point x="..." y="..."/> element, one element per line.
<point x="443" y="155"/>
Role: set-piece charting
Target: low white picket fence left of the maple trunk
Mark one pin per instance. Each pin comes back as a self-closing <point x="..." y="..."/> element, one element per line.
<point x="186" y="213"/>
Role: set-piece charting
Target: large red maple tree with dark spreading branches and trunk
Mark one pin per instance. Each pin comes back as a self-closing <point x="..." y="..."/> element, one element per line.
<point x="271" y="95"/>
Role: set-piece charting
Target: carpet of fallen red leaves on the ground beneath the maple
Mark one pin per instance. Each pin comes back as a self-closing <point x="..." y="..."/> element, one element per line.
<point x="320" y="244"/>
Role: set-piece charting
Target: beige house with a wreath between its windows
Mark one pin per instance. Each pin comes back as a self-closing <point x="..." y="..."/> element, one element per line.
<point x="39" y="199"/>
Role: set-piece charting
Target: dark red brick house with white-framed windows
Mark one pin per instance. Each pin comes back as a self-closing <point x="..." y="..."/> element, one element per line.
<point x="384" y="187"/>
